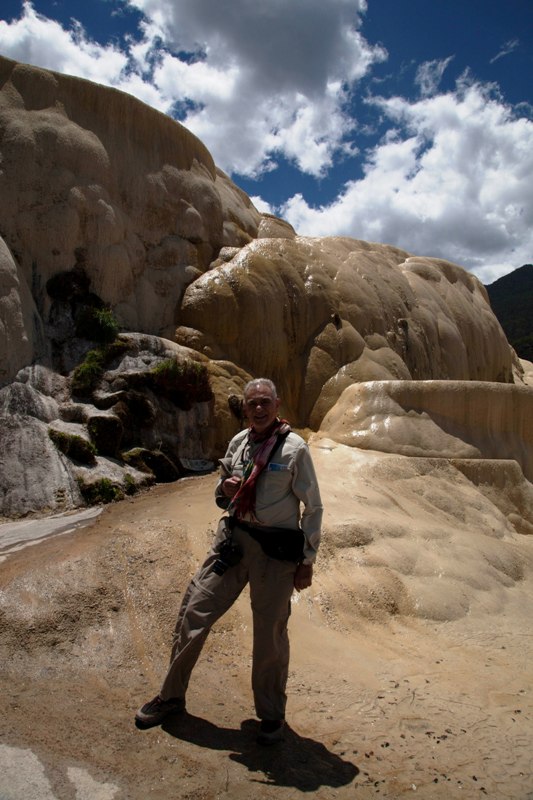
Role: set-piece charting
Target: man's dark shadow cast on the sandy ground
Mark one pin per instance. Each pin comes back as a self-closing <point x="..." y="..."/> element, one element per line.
<point x="297" y="762"/>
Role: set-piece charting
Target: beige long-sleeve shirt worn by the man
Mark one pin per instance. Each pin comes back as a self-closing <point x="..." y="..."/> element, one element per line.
<point x="287" y="493"/>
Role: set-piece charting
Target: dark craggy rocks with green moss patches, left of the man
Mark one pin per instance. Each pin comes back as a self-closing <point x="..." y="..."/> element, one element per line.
<point x="58" y="450"/>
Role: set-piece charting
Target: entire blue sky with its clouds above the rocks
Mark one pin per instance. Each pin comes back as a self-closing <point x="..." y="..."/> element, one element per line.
<point x="407" y="122"/>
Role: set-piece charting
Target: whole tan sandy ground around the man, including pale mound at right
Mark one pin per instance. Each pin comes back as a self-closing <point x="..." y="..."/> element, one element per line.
<point x="434" y="701"/>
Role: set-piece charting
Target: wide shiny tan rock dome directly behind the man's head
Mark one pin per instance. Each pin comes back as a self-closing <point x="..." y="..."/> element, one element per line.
<point x="320" y="314"/>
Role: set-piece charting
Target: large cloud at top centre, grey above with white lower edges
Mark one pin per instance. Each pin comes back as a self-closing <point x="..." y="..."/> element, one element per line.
<point x="271" y="78"/>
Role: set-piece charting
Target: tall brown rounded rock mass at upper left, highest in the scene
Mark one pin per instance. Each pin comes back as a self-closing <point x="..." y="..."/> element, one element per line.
<point x="92" y="177"/>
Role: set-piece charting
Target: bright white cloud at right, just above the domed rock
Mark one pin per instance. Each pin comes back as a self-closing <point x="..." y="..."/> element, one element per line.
<point x="453" y="180"/>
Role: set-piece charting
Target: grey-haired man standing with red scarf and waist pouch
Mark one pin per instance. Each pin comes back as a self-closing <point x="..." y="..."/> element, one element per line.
<point x="267" y="541"/>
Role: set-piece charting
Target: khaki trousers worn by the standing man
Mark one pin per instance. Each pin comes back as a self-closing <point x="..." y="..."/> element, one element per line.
<point x="209" y="596"/>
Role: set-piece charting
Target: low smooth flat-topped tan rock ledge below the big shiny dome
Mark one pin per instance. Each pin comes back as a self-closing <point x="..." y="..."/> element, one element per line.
<point x="442" y="419"/>
